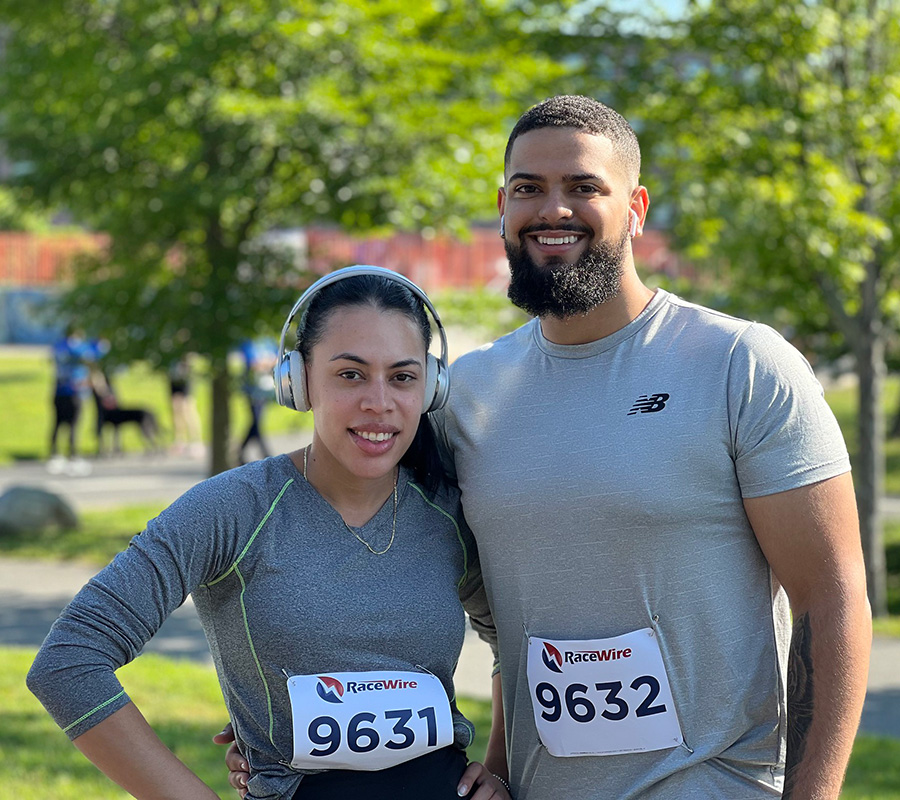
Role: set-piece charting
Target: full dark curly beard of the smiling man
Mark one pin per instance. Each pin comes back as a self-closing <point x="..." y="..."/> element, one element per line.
<point x="560" y="289"/>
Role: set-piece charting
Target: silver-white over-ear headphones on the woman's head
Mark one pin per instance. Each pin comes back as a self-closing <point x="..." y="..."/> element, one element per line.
<point x="290" y="372"/>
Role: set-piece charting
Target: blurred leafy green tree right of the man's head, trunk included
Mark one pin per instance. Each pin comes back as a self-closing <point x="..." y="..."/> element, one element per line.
<point x="776" y="130"/>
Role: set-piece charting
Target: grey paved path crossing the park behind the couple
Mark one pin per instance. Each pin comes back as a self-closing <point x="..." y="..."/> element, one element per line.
<point x="32" y="593"/>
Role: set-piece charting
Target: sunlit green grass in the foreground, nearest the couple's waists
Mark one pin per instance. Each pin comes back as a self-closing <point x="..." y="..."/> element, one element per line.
<point x="183" y="703"/>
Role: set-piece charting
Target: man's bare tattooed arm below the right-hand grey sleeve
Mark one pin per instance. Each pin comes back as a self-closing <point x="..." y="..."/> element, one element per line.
<point x="810" y="537"/>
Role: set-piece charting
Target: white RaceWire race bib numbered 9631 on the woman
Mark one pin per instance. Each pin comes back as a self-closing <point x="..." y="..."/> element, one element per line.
<point x="367" y="720"/>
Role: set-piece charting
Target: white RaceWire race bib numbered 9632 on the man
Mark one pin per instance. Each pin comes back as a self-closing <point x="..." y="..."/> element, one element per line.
<point x="597" y="697"/>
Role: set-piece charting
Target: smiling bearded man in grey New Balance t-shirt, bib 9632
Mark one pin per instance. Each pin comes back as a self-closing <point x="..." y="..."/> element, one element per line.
<point x="651" y="484"/>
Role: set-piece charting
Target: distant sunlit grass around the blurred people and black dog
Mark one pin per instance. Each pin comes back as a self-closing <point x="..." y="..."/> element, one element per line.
<point x="26" y="399"/>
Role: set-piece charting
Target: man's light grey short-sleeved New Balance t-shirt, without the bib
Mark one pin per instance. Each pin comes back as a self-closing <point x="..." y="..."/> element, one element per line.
<point x="604" y="485"/>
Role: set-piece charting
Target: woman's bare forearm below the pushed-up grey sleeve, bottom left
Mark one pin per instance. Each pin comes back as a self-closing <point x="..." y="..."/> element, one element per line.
<point x="125" y="748"/>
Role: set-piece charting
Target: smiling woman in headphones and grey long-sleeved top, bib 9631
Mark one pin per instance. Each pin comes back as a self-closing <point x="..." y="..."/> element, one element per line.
<point x="328" y="582"/>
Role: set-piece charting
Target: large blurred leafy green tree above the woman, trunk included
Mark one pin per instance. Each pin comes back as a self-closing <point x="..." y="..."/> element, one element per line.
<point x="186" y="129"/>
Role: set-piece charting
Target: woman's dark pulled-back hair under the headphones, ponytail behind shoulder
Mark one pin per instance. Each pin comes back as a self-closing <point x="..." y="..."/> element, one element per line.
<point x="423" y="456"/>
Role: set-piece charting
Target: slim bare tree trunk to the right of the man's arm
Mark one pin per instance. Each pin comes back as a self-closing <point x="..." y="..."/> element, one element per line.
<point x="870" y="468"/>
